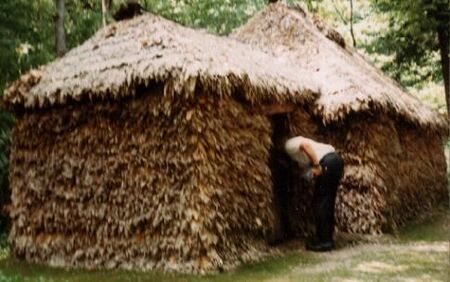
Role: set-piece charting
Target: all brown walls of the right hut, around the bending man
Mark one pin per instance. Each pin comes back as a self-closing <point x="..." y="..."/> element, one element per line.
<point x="394" y="173"/>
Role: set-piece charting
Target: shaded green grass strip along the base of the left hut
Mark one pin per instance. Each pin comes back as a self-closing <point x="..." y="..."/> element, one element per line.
<point x="13" y="270"/>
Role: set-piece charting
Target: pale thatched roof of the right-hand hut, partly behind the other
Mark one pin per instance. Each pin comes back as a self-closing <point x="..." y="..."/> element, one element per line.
<point x="348" y="82"/>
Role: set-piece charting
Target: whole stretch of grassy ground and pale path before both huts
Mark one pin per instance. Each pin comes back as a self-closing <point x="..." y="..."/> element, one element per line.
<point x="416" y="253"/>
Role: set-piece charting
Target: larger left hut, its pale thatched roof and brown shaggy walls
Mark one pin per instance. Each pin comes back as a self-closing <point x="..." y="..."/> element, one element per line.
<point x="145" y="147"/>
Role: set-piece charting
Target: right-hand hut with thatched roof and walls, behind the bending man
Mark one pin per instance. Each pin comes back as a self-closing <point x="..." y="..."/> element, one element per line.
<point x="391" y="143"/>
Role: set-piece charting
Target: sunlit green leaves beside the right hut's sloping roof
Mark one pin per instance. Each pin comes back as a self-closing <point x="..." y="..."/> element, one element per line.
<point x="411" y="39"/>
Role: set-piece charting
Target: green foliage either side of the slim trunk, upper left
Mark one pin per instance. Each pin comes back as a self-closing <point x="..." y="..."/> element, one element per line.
<point x="27" y="32"/>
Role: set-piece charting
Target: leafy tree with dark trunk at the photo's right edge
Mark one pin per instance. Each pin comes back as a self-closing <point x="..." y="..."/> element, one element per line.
<point x="418" y="31"/>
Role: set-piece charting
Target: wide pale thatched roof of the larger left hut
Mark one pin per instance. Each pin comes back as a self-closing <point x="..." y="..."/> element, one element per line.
<point x="150" y="49"/>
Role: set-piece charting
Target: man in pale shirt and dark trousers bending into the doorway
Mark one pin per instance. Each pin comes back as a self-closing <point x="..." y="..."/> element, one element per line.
<point x="321" y="162"/>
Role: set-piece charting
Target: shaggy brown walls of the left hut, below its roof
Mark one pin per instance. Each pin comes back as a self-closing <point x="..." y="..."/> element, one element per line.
<point x="143" y="183"/>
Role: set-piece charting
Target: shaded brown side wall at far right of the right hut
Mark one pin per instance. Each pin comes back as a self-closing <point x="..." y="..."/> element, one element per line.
<point x="423" y="185"/>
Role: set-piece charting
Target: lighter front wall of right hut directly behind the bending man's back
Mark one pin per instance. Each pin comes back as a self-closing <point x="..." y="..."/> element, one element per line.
<point x="367" y="144"/>
